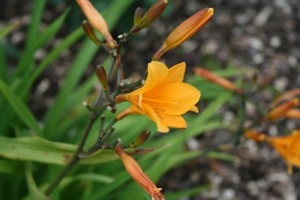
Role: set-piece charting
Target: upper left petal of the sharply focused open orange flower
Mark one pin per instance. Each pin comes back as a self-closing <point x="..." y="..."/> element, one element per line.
<point x="157" y="73"/>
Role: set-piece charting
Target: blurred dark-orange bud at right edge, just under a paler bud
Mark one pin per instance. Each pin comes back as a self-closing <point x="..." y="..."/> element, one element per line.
<point x="282" y="109"/>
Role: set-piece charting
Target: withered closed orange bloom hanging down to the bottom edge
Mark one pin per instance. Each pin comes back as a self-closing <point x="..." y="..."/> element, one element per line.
<point x="136" y="172"/>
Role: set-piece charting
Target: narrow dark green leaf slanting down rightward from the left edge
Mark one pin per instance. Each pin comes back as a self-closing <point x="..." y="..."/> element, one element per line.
<point x="20" y="108"/>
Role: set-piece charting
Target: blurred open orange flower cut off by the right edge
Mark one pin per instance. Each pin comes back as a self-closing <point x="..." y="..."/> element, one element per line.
<point x="287" y="146"/>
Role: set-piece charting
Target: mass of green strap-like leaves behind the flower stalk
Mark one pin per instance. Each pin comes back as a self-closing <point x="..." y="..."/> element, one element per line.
<point x="49" y="142"/>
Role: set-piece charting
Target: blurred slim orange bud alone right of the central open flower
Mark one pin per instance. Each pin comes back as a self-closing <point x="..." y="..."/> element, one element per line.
<point x="216" y="79"/>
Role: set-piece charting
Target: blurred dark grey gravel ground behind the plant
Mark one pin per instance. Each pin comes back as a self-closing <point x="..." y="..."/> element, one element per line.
<point x="261" y="38"/>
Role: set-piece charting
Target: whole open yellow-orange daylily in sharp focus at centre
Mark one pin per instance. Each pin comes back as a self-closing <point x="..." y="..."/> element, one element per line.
<point x="163" y="98"/>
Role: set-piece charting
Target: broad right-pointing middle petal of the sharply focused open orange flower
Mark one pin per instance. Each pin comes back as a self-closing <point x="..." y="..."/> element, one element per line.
<point x="183" y="95"/>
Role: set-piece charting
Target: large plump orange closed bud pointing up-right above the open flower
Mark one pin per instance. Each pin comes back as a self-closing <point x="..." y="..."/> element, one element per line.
<point x="184" y="31"/>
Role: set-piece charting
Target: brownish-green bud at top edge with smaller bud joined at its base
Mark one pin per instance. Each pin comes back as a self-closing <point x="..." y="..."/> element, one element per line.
<point x="151" y="15"/>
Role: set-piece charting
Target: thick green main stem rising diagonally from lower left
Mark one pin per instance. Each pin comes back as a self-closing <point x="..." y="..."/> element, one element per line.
<point x="75" y="159"/>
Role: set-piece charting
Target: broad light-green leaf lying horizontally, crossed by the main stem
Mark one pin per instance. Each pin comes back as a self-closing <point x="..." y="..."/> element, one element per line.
<point x="41" y="150"/>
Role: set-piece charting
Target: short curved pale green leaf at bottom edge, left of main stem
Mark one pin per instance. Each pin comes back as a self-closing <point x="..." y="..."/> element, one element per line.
<point x="35" y="193"/>
